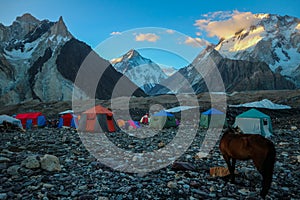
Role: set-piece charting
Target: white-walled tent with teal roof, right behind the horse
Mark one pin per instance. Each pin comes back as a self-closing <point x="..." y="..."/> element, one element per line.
<point x="254" y="121"/>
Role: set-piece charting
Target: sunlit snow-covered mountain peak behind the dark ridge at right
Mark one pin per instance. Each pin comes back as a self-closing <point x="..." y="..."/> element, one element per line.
<point x="272" y="39"/>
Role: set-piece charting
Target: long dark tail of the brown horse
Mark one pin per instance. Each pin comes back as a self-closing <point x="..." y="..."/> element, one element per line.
<point x="267" y="169"/>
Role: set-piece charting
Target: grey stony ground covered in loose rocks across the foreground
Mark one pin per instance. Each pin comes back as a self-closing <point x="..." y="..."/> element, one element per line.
<point x="81" y="176"/>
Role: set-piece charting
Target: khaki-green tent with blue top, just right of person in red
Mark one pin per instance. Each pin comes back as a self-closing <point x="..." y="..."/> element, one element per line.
<point x="162" y="120"/>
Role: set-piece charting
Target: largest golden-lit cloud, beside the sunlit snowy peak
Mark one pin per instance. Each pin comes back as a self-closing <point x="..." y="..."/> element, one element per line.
<point x="225" y="24"/>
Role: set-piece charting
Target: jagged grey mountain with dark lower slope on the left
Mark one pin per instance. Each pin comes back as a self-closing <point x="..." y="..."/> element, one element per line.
<point x="40" y="60"/>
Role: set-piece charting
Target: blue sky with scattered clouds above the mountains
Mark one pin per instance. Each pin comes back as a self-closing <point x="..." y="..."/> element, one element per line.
<point x="171" y="33"/>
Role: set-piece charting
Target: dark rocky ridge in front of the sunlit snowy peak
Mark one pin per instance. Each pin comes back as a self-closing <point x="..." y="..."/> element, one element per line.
<point x="235" y="75"/>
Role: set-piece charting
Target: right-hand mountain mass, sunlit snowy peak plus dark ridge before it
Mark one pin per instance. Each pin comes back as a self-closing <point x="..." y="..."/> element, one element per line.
<point x="264" y="56"/>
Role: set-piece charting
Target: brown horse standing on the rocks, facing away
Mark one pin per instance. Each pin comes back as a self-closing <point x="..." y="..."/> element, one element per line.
<point x="238" y="146"/>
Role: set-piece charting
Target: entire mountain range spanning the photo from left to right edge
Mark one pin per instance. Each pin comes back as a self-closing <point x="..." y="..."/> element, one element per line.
<point x="40" y="60"/>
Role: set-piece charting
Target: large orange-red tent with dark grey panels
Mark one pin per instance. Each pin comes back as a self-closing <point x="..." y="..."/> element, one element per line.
<point x="98" y="119"/>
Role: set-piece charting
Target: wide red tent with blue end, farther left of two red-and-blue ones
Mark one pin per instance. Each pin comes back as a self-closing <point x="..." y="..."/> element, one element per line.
<point x="36" y="119"/>
